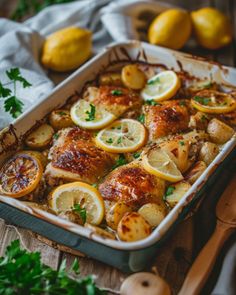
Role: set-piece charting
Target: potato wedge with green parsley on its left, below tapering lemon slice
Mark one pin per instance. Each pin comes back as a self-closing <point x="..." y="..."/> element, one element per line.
<point x="176" y="192"/>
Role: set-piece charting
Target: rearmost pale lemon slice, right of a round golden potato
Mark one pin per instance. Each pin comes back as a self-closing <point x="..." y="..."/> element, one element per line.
<point x="161" y="87"/>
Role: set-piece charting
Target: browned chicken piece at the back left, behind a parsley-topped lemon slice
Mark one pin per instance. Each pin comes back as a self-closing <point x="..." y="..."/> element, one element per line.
<point x="116" y="100"/>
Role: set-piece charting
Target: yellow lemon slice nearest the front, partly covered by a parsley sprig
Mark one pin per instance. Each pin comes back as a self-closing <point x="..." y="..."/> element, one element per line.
<point x="66" y="196"/>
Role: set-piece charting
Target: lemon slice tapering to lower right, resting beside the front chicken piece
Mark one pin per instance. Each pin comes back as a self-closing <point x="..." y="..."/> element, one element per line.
<point x="157" y="162"/>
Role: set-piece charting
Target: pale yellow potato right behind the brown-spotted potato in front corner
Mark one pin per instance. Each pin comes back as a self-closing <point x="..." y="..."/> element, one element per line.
<point x="153" y="213"/>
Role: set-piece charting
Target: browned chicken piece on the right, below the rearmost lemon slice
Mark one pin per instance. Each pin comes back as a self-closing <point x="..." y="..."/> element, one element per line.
<point x="168" y="118"/>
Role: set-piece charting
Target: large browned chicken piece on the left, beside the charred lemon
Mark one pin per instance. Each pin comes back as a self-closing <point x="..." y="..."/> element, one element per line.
<point x="74" y="156"/>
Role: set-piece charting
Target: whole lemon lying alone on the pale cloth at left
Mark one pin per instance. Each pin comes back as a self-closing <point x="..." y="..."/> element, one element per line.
<point x="67" y="49"/>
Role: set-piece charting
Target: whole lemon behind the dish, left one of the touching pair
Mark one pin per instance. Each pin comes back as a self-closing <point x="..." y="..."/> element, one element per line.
<point x="171" y="29"/>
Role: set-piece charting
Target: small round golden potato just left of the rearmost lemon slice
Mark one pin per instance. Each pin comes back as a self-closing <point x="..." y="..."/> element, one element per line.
<point x="133" y="77"/>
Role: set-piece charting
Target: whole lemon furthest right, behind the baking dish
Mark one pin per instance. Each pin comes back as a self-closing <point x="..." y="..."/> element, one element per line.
<point x="211" y="27"/>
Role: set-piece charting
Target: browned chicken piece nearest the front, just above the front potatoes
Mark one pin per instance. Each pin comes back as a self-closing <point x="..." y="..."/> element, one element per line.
<point x="132" y="185"/>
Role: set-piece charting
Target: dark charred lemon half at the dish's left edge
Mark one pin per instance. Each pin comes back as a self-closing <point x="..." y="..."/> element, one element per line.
<point x="20" y="175"/>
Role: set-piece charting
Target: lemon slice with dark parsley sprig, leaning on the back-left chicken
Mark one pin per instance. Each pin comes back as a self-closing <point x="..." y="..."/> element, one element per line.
<point x="89" y="116"/>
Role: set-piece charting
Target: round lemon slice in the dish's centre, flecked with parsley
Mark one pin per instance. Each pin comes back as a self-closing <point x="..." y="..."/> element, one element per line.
<point x="122" y="136"/>
